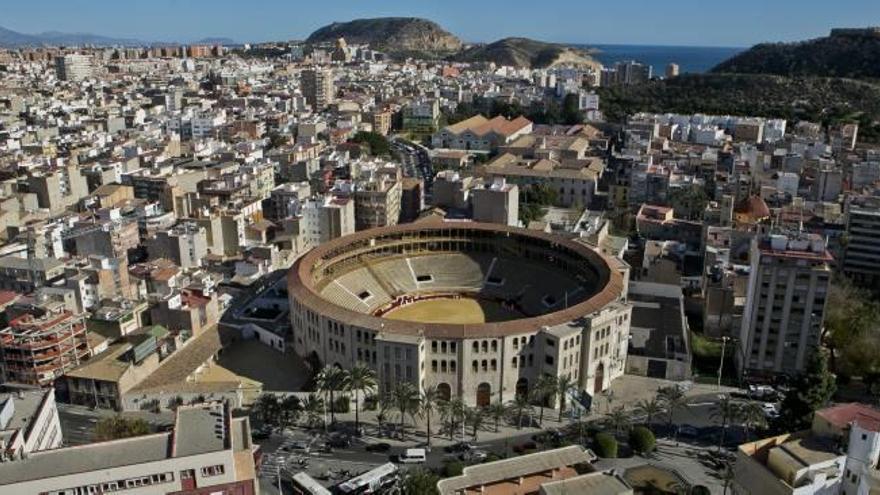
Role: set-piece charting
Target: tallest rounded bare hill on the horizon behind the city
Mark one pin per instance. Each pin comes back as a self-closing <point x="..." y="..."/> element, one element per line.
<point x="393" y="35"/>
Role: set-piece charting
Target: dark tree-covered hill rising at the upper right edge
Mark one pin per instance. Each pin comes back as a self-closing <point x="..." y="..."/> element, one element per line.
<point x="852" y="53"/>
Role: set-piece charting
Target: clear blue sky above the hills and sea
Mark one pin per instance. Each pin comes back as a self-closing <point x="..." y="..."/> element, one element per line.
<point x="671" y="22"/>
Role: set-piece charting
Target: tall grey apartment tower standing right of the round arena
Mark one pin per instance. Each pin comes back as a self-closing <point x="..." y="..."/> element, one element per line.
<point x="785" y="303"/>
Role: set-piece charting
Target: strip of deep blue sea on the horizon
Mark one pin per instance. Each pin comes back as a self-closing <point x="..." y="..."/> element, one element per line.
<point x="690" y="59"/>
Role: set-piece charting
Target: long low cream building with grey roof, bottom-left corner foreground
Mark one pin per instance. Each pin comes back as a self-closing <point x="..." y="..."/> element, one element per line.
<point x="208" y="452"/>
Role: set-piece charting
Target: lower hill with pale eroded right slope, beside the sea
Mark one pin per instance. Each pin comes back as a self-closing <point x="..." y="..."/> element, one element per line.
<point x="527" y="53"/>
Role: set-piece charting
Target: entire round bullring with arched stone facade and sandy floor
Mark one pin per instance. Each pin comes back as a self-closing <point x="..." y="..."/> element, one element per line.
<point x="480" y="311"/>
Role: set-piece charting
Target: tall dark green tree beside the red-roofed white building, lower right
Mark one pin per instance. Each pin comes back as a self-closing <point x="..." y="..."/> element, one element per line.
<point x="810" y="391"/>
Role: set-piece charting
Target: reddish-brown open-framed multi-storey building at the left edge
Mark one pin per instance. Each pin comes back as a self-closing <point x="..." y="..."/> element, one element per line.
<point x="36" y="349"/>
